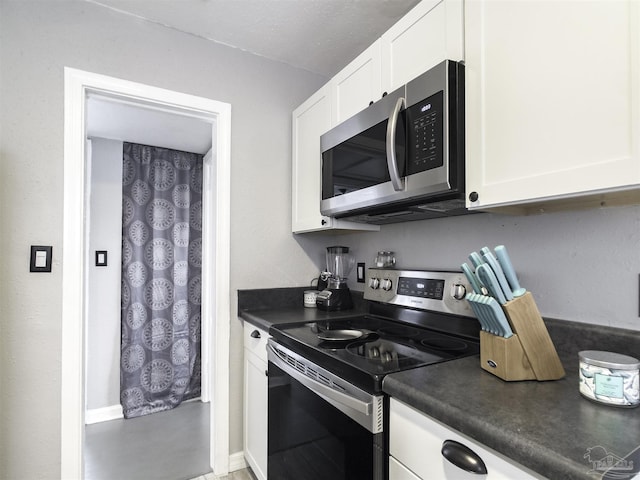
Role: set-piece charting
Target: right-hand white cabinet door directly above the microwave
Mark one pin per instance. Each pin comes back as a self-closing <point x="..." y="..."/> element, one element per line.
<point x="431" y="32"/>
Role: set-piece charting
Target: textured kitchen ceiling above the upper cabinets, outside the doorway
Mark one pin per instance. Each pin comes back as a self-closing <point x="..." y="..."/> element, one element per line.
<point x="320" y="36"/>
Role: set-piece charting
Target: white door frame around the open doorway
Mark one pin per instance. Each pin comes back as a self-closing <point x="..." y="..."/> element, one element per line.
<point x="216" y="308"/>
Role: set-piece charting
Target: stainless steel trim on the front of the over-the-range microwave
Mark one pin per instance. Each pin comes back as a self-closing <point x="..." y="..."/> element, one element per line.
<point x="423" y="184"/>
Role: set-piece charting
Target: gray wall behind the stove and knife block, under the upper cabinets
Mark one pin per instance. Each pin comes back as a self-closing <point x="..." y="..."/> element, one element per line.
<point x="580" y="265"/>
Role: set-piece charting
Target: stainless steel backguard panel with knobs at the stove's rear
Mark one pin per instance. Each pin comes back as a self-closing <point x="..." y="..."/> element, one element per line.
<point x="454" y="282"/>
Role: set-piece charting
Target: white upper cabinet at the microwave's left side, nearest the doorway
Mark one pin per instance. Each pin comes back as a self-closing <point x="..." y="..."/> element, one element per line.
<point x="309" y="121"/>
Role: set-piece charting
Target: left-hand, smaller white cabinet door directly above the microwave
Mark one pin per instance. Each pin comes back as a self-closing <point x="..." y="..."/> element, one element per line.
<point x="358" y="84"/>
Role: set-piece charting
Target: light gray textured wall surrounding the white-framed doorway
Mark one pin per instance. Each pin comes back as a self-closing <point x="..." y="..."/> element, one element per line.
<point x="38" y="40"/>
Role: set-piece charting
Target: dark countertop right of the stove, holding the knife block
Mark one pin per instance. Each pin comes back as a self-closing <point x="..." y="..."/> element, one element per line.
<point x="546" y="426"/>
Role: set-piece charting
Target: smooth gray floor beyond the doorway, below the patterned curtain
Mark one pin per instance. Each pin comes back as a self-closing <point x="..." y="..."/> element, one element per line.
<point x="171" y="445"/>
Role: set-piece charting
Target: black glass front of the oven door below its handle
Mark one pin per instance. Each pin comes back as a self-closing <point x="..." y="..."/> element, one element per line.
<point x="309" y="439"/>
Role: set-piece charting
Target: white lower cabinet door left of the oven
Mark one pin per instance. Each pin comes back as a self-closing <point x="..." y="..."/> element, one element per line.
<point x="255" y="399"/>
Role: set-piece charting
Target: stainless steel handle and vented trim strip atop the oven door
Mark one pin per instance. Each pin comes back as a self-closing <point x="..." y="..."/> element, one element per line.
<point x="363" y="407"/>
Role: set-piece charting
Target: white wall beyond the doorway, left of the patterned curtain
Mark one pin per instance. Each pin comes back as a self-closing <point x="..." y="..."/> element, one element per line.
<point x="103" y="299"/>
